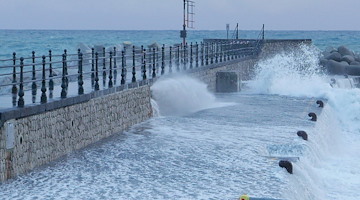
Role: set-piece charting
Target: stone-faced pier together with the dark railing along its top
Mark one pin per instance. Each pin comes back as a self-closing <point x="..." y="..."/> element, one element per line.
<point x="93" y="103"/>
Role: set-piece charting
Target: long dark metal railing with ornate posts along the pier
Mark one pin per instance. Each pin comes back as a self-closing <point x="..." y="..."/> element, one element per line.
<point x="99" y="69"/>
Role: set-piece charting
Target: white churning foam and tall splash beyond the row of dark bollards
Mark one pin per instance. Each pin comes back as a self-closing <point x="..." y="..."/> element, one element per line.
<point x="328" y="169"/>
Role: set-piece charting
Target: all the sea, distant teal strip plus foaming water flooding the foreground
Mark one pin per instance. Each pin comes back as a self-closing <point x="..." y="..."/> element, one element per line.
<point x="204" y="145"/>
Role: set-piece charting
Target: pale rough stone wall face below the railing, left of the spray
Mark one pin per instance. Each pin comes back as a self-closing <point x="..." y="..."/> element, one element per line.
<point x="47" y="136"/>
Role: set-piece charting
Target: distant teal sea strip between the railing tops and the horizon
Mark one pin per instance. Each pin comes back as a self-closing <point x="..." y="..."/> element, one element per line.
<point x="23" y="42"/>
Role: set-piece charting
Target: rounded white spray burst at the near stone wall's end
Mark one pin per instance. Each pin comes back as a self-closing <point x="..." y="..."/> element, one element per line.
<point x="182" y="95"/>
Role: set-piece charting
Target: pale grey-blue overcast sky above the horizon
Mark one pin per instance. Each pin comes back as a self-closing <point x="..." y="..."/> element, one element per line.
<point x="167" y="14"/>
